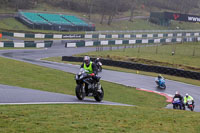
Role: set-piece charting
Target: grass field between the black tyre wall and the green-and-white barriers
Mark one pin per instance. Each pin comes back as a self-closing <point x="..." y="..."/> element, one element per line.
<point x="186" y="55"/>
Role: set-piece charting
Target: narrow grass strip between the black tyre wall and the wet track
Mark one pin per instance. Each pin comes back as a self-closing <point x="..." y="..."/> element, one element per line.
<point x="181" y="79"/>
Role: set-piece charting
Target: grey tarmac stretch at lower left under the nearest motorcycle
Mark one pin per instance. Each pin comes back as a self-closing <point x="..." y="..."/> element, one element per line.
<point x="18" y="95"/>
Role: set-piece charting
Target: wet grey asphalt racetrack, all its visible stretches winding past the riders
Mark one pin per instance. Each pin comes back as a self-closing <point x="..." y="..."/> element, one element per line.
<point x="17" y="95"/>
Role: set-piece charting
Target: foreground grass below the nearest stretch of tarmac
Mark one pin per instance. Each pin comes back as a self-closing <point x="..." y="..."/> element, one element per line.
<point x="96" y="118"/>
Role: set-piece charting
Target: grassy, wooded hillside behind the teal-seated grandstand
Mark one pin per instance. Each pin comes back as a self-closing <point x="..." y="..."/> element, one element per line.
<point x="120" y="19"/>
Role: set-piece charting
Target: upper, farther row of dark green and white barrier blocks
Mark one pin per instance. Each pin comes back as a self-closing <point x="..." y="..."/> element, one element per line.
<point x="106" y="35"/>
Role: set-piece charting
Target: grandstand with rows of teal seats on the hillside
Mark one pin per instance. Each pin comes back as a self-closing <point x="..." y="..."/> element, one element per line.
<point x="54" y="21"/>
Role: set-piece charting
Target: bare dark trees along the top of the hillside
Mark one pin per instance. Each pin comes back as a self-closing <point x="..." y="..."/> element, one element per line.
<point x="109" y="8"/>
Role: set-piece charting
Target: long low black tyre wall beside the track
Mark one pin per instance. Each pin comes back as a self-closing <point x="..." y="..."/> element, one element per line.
<point x="141" y="67"/>
